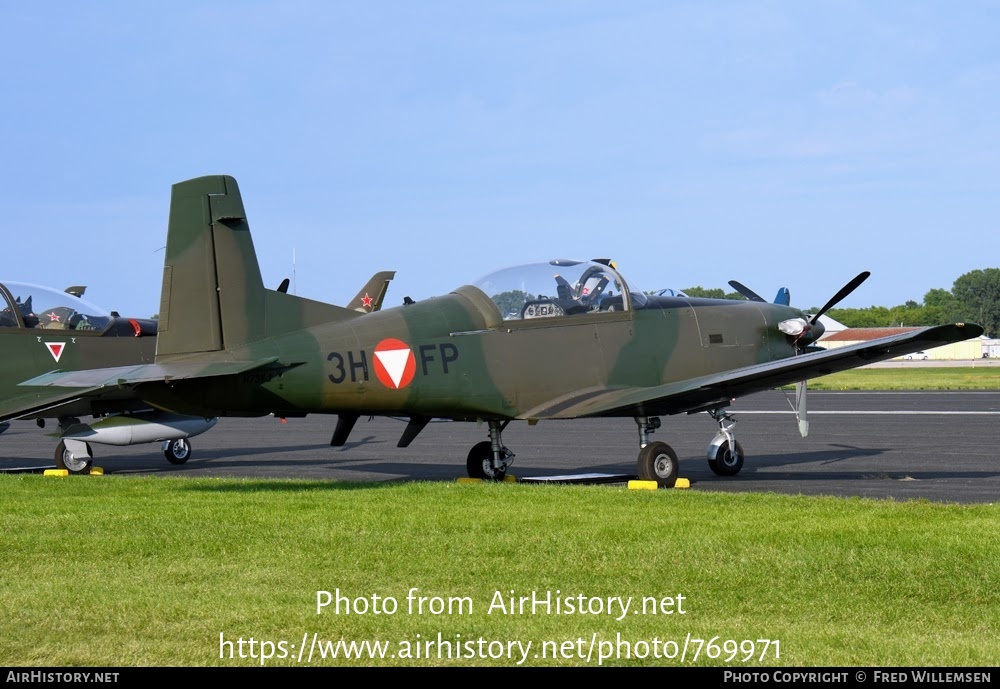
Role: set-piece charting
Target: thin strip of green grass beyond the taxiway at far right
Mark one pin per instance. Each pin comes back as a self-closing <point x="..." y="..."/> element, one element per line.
<point x="957" y="378"/>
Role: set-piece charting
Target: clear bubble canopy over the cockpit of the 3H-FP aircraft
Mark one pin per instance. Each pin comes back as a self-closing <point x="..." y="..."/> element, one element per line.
<point x="560" y="287"/>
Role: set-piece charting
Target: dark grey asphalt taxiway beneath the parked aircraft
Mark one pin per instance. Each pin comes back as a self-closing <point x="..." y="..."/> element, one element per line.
<point x="940" y="446"/>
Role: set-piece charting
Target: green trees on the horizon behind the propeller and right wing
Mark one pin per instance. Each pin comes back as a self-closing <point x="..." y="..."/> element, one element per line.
<point x="974" y="298"/>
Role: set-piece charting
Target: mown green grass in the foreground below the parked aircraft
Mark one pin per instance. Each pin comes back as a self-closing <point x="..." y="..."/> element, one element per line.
<point x="130" y="571"/>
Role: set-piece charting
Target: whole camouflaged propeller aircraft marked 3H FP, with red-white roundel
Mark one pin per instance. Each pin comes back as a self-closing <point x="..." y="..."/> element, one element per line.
<point x="557" y="340"/>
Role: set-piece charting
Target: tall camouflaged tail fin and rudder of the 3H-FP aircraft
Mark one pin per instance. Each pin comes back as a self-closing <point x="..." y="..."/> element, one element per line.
<point x="212" y="296"/>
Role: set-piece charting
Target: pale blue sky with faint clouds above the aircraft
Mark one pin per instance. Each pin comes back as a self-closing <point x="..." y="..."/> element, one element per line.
<point x="776" y="143"/>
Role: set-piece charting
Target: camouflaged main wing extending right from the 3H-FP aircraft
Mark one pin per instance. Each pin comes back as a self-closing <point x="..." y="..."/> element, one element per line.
<point x="703" y="392"/>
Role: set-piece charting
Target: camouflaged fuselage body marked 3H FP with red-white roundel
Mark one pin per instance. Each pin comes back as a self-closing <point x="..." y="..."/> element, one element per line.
<point x="452" y="357"/>
